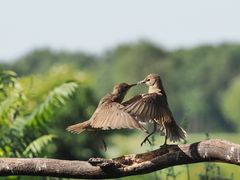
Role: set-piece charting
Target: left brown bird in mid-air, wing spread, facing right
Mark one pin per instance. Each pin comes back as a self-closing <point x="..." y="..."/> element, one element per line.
<point x="109" y="113"/>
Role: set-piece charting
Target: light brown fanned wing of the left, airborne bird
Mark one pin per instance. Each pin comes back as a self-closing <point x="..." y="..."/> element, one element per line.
<point x="113" y="116"/>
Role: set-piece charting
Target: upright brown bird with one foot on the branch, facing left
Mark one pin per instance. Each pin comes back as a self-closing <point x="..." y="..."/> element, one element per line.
<point x="153" y="107"/>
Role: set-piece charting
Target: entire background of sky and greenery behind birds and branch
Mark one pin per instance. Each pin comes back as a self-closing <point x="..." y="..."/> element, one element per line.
<point x="58" y="58"/>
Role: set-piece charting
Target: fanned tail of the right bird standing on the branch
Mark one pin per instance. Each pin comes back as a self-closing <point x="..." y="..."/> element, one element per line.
<point x="174" y="132"/>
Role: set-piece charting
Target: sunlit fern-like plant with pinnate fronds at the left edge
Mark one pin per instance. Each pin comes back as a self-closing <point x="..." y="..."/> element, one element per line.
<point x="21" y="135"/>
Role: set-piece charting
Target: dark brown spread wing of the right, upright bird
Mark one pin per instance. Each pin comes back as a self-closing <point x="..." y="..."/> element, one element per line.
<point x="146" y="107"/>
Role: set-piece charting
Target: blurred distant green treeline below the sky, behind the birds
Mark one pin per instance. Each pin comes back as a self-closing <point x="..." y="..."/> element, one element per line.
<point x="202" y="83"/>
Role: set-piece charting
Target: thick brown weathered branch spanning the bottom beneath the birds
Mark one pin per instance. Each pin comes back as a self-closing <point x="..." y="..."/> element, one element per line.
<point x="214" y="150"/>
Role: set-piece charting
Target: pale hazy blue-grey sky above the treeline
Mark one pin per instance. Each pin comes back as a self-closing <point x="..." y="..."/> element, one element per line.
<point x="95" y="26"/>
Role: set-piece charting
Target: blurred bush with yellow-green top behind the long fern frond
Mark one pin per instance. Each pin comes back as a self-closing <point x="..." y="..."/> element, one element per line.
<point x="80" y="108"/>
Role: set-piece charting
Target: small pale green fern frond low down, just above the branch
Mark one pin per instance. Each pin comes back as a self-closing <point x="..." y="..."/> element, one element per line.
<point x="37" y="146"/>
